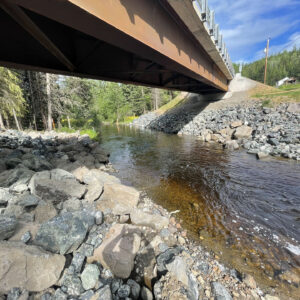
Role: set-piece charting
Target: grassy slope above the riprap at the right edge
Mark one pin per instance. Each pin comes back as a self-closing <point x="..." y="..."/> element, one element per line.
<point x="274" y="96"/>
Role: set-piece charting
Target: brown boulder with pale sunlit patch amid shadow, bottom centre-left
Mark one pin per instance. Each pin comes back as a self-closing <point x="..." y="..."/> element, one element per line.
<point x="118" y="250"/>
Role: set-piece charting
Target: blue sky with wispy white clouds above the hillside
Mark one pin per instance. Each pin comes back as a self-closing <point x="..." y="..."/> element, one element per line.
<point x="246" y="25"/>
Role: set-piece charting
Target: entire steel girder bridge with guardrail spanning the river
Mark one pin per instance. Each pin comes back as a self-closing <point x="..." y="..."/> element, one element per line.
<point x="173" y="44"/>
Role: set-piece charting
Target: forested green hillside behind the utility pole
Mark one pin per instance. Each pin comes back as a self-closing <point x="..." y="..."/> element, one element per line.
<point x="285" y="64"/>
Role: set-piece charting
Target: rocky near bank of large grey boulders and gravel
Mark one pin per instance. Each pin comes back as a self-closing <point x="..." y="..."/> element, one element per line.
<point x="71" y="230"/>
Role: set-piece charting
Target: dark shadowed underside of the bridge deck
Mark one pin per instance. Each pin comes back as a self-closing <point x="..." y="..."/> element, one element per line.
<point x="91" y="57"/>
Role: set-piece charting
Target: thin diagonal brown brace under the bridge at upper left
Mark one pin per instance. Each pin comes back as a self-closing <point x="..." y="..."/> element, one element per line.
<point x="23" y="20"/>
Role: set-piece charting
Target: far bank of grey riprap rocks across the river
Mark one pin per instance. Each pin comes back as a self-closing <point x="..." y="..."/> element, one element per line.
<point x="262" y="131"/>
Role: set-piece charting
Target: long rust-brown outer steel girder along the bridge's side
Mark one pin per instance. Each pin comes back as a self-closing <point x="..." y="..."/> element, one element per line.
<point x="141" y="27"/>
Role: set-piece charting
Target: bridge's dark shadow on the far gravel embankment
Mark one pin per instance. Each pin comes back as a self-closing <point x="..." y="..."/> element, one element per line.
<point x="176" y="118"/>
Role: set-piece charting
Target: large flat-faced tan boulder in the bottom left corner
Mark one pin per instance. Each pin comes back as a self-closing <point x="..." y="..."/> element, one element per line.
<point x="28" y="267"/>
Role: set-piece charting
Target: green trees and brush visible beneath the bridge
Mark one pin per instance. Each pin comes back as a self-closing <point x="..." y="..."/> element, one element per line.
<point x="43" y="101"/>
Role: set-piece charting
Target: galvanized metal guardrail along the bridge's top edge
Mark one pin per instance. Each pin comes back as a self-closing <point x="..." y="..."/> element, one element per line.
<point x="207" y="16"/>
